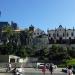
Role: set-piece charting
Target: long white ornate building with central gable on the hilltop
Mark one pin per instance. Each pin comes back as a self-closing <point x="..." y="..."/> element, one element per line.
<point x="61" y="35"/>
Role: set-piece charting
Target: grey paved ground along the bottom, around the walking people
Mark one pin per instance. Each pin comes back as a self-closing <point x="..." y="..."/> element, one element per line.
<point x="34" y="71"/>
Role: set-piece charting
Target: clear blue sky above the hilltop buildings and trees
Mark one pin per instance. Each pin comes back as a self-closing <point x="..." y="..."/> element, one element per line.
<point x="43" y="14"/>
